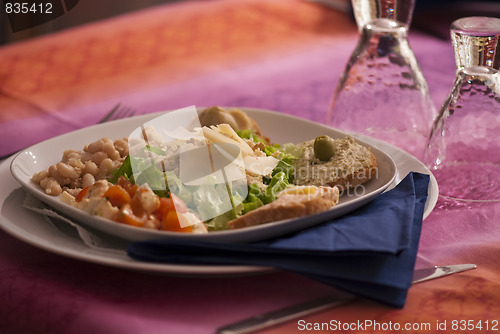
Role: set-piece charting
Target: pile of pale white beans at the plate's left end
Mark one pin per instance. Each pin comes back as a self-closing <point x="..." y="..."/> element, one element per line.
<point x="79" y="169"/>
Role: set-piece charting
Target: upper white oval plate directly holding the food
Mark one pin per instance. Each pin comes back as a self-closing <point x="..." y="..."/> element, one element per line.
<point x="280" y="128"/>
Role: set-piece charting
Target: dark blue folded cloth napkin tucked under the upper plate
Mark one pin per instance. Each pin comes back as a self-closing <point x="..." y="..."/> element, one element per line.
<point x="370" y="252"/>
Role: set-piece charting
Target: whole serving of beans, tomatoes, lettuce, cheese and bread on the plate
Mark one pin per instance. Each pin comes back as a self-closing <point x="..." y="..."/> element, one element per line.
<point x="219" y="173"/>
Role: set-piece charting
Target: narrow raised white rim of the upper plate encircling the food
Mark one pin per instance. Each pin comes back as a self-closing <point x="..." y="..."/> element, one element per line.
<point x="250" y="234"/>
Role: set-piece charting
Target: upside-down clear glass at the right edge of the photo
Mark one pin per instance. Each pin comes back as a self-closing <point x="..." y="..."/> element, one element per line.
<point x="464" y="145"/>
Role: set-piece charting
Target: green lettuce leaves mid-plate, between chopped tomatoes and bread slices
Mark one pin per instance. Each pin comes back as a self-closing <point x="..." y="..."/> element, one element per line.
<point x="204" y="199"/>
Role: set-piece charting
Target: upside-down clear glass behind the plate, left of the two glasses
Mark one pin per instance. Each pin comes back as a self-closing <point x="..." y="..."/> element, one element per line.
<point x="382" y="92"/>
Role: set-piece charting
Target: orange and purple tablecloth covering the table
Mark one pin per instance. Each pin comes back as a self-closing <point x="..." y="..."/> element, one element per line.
<point x="283" y="55"/>
